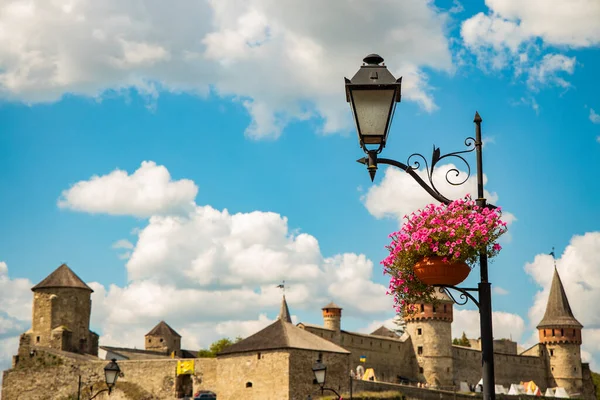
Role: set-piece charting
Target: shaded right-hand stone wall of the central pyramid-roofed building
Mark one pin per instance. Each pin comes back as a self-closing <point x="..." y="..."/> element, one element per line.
<point x="301" y="382"/>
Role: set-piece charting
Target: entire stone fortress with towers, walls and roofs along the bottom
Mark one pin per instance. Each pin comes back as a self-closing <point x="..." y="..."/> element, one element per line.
<point x="275" y="363"/>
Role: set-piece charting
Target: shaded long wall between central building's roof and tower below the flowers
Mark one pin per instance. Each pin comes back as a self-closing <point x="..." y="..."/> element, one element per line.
<point x="388" y="357"/>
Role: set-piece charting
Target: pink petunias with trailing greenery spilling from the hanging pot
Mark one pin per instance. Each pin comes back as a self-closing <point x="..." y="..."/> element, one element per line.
<point x="457" y="232"/>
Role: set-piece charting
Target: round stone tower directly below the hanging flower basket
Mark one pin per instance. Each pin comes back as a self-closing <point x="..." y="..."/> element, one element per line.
<point x="430" y="332"/>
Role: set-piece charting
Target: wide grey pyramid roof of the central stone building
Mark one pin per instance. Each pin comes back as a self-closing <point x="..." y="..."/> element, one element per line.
<point x="282" y="335"/>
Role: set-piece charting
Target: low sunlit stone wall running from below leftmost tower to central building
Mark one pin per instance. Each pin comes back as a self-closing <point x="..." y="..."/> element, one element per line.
<point x="49" y="374"/>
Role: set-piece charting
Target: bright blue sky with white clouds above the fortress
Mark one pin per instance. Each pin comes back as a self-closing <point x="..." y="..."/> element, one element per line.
<point x="245" y="104"/>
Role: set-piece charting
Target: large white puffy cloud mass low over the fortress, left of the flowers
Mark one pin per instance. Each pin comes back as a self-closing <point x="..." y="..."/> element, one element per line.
<point x="209" y="272"/>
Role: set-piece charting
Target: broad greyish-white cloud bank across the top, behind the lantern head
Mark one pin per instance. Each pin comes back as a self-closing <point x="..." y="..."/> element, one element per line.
<point x="48" y="49"/>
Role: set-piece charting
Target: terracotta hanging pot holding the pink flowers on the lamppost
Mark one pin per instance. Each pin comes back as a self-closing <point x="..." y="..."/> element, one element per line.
<point x="433" y="271"/>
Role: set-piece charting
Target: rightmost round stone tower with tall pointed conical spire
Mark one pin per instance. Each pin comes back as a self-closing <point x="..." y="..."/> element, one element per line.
<point x="560" y="333"/>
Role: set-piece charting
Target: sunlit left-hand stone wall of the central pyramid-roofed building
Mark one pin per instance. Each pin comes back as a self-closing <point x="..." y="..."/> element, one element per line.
<point x="267" y="372"/>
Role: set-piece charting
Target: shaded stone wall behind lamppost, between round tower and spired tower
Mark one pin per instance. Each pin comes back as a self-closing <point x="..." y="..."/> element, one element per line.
<point x="508" y="368"/>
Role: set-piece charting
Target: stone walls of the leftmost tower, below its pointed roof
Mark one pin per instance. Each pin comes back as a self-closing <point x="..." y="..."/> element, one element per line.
<point x="62" y="307"/>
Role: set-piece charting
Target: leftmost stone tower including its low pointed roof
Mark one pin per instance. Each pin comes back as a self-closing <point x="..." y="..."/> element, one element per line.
<point x="62" y="307"/>
